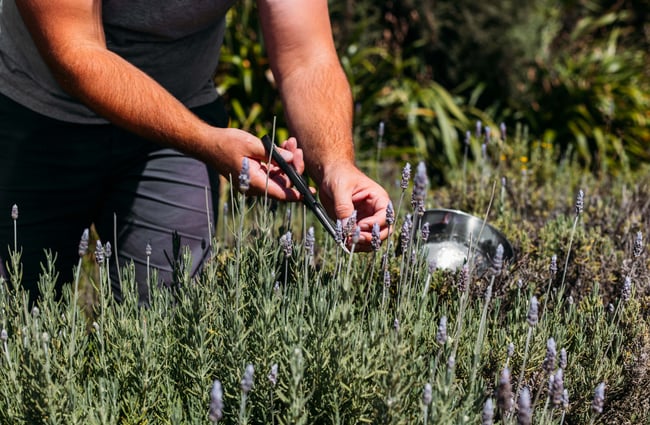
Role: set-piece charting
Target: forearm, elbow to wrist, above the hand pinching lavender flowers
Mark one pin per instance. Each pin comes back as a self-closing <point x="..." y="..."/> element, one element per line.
<point x="318" y="105"/>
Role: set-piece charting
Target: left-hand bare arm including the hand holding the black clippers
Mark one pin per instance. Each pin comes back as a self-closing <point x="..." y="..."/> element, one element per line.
<point x="70" y="37"/>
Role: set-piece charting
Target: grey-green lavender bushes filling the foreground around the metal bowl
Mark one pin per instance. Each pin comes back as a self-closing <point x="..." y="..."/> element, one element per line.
<point x="356" y="338"/>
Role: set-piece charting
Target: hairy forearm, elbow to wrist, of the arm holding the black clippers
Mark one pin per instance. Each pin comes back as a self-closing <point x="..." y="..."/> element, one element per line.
<point x="129" y="98"/>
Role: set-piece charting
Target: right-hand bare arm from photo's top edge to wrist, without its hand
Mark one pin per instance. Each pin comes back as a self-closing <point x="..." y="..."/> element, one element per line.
<point x="314" y="89"/>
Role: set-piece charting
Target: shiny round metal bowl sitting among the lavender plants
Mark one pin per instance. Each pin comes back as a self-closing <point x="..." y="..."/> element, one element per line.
<point x="456" y="237"/>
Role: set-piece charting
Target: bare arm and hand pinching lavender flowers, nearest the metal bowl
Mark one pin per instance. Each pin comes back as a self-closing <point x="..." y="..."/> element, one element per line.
<point x="318" y="104"/>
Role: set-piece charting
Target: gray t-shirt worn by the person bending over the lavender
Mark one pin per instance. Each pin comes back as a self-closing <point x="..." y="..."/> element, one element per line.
<point x="176" y="42"/>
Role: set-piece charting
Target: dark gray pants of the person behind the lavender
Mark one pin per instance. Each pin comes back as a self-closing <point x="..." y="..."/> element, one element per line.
<point x="65" y="176"/>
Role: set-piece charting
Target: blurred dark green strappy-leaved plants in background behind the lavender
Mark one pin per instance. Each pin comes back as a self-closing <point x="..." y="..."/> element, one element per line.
<point x="576" y="73"/>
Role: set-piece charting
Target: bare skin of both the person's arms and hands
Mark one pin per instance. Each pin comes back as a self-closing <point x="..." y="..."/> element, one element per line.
<point x="315" y="93"/>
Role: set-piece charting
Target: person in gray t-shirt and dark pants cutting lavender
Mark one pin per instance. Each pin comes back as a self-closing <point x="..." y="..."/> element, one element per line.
<point x="109" y="115"/>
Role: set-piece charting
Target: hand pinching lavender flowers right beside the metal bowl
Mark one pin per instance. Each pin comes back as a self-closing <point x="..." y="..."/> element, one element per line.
<point x="346" y="189"/>
